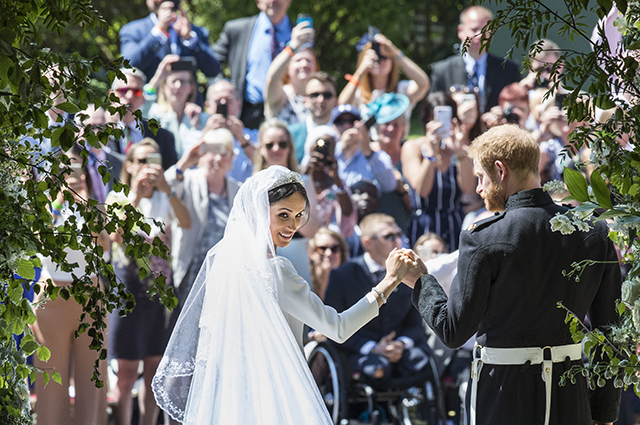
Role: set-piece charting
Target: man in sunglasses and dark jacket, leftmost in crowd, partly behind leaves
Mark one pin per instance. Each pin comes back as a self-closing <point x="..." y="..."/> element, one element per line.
<point x="130" y="93"/>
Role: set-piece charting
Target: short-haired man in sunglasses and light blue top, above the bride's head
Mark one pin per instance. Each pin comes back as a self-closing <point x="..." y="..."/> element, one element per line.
<point x="320" y="99"/>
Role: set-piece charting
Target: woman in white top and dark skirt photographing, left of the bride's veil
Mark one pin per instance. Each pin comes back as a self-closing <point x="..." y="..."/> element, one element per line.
<point x="142" y="334"/>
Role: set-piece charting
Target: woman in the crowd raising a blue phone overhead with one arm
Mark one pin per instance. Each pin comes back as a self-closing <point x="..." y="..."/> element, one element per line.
<point x="288" y="75"/>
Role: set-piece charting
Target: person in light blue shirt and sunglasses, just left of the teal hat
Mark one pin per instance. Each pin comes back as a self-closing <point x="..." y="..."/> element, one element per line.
<point x="356" y="160"/>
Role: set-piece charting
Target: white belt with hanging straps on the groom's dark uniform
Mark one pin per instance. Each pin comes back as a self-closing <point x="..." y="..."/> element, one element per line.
<point x="516" y="356"/>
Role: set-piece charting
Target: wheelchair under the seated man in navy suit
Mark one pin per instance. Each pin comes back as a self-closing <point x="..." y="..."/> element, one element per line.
<point x="414" y="400"/>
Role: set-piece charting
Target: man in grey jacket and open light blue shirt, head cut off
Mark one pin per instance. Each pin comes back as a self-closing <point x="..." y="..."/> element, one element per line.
<point x="248" y="45"/>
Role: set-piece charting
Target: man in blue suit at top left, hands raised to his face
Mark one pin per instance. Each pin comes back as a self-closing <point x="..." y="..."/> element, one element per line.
<point x="145" y="42"/>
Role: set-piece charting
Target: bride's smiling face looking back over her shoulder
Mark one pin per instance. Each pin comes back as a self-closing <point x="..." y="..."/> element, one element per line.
<point x="285" y="218"/>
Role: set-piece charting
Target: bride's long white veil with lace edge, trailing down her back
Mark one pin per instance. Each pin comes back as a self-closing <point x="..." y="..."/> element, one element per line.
<point x="232" y="358"/>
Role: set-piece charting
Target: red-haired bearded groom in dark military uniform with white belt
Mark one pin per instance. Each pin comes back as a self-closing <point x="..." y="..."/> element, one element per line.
<point x="509" y="282"/>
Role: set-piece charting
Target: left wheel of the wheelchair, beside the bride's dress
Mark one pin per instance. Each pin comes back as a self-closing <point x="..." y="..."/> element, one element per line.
<point x="328" y="371"/>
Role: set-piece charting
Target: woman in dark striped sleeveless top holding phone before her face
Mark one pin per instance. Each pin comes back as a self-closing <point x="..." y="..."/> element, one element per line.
<point x="439" y="173"/>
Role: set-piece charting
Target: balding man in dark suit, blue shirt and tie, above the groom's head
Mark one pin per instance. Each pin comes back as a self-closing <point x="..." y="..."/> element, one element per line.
<point x="483" y="72"/>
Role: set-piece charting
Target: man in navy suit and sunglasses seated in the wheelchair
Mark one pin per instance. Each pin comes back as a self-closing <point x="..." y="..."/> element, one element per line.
<point x="393" y="343"/>
